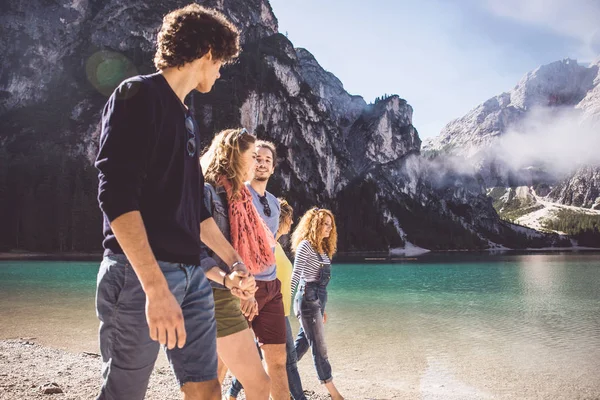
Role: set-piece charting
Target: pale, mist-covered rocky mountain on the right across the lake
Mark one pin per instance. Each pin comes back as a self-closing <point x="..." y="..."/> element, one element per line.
<point x="541" y="190"/>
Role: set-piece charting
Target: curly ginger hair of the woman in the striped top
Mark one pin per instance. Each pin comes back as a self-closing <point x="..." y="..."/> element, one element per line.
<point x="309" y="226"/>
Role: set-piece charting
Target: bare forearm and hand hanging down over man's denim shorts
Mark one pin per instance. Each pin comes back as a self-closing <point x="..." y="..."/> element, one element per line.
<point x="163" y="313"/>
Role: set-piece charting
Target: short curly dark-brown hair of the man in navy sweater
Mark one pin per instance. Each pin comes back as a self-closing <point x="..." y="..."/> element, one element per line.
<point x="188" y="33"/>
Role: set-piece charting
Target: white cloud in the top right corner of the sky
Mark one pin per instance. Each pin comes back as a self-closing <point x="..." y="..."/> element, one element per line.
<point x="578" y="19"/>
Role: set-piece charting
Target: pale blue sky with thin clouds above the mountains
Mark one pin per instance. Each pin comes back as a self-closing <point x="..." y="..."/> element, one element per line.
<point x="444" y="57"/>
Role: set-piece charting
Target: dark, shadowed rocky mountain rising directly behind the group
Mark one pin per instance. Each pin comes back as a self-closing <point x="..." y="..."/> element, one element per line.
<point x="62" y="59"/>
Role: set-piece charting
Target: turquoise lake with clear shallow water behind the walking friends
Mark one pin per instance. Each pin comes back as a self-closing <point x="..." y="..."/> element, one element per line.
<point x="443" y="326"/>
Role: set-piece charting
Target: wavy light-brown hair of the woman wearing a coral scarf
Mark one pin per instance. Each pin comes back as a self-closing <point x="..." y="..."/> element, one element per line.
<point x="222" y="158"/>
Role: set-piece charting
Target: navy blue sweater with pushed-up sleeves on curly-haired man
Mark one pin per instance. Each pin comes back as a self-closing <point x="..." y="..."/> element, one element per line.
<point x="145" y="166"/>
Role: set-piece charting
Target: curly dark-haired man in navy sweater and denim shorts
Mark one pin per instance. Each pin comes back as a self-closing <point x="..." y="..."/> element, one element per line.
<point x="152" y="289"/>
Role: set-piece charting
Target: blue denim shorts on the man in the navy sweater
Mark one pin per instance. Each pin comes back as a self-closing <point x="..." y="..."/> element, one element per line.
<point x="128" y="352"/>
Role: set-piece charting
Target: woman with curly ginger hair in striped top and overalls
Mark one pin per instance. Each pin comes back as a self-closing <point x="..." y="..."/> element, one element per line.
<point x="314" y="241"/>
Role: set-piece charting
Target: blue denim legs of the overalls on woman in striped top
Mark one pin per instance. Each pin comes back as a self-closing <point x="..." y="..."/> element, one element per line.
<point x="310" y="302"/>
